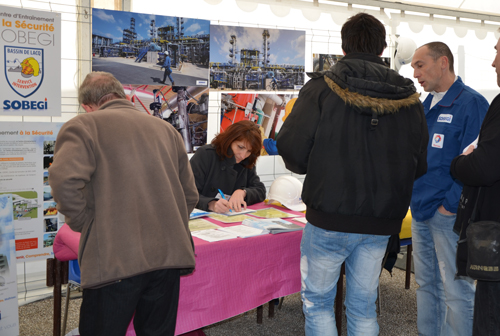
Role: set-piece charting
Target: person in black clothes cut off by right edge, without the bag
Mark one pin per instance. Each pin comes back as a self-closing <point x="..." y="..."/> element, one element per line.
<point x="480" y="168"/>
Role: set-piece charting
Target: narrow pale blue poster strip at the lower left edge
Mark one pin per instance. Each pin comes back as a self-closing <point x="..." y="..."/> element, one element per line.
<point x="9" y="317"/>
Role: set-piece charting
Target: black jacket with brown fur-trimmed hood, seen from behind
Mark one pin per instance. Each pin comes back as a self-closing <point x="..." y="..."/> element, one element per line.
<point x="359" y="132"/>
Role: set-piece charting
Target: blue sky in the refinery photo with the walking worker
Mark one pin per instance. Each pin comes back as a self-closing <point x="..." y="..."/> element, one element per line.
<point x="111" y="23"/>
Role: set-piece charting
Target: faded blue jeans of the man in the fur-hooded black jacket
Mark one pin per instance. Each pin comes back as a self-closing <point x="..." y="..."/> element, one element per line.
<point x="322" y="255"/>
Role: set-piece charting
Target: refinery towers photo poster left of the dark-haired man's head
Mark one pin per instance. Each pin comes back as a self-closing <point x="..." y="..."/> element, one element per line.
<point x="256" y="58"/>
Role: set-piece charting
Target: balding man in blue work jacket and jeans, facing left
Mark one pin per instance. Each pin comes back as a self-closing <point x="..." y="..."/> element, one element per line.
<point x="454" y="113"/>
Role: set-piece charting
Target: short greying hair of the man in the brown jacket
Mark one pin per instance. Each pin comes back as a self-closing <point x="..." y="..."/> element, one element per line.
<point x="100" y="87"/>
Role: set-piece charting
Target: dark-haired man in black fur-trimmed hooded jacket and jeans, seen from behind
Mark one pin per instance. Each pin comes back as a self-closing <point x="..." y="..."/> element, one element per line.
<point x="359" y="132"/>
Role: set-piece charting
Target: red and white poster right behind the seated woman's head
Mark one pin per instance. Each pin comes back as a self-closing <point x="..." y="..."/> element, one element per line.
<point x="268" y="110"/>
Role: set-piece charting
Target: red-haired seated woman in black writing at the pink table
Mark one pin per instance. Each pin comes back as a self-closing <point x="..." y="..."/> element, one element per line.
<point x="228" y="164"/>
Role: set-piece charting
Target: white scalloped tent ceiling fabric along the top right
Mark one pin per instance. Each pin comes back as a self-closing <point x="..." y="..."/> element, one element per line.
<point x="461" y="15"/>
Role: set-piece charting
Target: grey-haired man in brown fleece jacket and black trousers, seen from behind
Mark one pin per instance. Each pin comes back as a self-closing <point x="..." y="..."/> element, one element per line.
<point x="122" y="178"/>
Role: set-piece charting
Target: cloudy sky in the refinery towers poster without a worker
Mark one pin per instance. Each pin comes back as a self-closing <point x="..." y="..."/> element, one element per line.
<point x="286" y="46"/>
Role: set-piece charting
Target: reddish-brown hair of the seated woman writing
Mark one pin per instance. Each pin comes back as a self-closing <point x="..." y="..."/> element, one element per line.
<point x="244" y="130"/>
